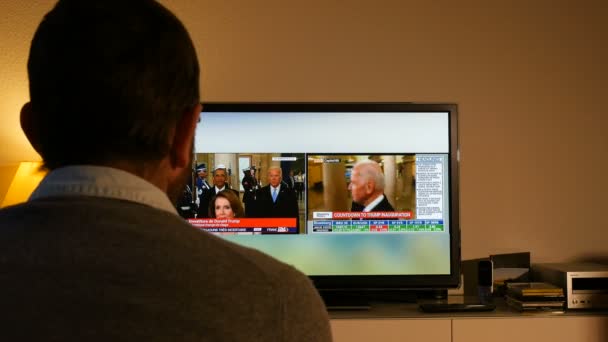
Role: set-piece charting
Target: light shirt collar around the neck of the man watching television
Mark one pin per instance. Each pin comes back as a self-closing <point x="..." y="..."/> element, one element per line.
<point x="101" y="181"/>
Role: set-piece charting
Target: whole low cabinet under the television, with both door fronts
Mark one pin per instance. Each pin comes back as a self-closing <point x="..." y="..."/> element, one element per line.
<point x="393" y="323"/>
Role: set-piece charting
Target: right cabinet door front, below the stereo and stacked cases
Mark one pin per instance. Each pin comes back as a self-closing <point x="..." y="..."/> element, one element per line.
<point x="531" y="329"/>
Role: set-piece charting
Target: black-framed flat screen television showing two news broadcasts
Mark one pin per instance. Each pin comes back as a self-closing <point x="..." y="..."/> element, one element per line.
<point x="332" y="159"/>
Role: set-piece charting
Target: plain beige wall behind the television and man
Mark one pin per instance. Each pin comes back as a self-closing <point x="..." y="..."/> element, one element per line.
<point x="529" y="77"/>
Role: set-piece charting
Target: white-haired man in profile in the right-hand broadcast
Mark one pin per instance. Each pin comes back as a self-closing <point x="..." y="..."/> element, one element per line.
<point x="367" y="187"/>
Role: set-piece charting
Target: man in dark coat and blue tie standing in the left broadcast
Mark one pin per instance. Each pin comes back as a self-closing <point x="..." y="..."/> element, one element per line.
<point x="276" y="199"/>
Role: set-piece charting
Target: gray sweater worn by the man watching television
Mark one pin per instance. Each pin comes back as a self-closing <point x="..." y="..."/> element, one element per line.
<point x="95" y="269"/>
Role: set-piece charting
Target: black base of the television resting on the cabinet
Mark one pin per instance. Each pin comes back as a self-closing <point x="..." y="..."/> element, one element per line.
<point x="362" y="299"/>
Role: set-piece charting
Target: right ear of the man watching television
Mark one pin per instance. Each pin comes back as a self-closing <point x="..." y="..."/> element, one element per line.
<point x="181" y="149"/>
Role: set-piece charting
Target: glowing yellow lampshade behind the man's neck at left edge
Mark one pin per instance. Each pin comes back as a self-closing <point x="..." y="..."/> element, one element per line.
<point x="26" y="180"/>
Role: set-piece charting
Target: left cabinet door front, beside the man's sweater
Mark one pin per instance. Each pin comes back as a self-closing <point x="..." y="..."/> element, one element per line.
<point x="392" y="330"/>
